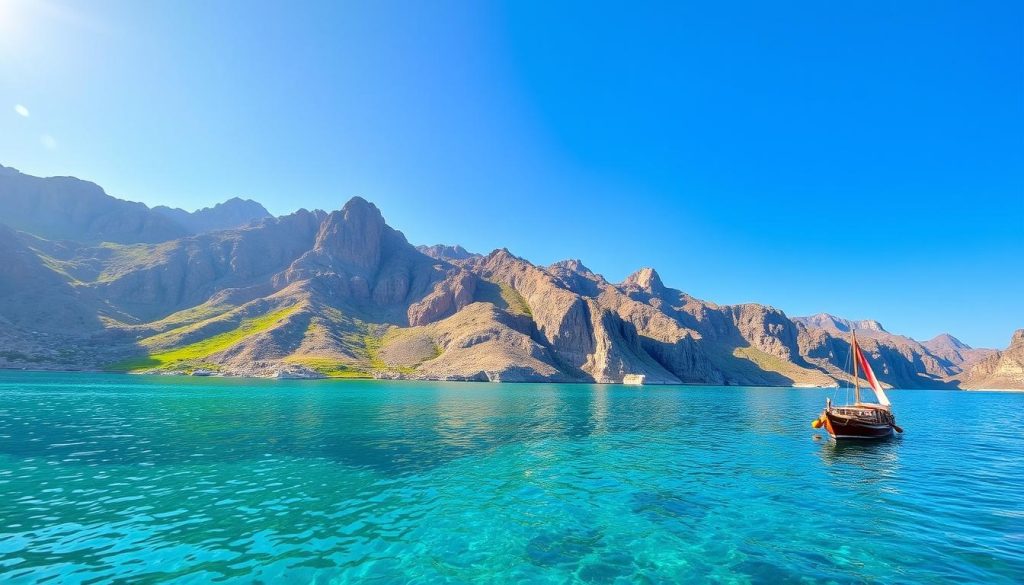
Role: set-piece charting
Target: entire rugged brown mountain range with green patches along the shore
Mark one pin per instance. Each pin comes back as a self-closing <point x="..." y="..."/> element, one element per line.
<point x="93" y="282"/>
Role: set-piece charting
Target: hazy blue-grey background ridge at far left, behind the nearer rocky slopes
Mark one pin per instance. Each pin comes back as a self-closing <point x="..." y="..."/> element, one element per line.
<point x="68" y="208"/>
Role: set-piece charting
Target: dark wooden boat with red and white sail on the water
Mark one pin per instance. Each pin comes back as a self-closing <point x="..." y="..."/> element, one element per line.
<point x="860" y="421"/>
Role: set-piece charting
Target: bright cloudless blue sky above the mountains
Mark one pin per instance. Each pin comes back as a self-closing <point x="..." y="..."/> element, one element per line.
<point x="865" y="159"/>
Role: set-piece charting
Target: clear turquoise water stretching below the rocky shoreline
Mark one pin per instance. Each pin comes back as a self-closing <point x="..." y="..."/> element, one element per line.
<point x="146" y="480"/>
